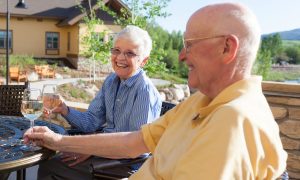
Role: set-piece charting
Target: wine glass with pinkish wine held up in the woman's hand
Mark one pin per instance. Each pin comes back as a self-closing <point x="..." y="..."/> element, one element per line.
<point x="51" y="99"/>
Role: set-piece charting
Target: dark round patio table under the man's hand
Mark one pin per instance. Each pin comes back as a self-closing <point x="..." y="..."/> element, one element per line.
<point x="12" y="156"/>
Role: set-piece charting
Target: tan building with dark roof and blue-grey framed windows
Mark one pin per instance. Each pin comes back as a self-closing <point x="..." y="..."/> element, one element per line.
<point x="50" y="28"/>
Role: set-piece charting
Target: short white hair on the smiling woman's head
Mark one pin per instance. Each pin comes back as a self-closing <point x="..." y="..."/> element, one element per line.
<point x="139" y="37"/>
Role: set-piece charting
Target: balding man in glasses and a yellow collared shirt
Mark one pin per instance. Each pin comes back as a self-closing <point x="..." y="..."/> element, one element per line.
<point x="224" y="131"/>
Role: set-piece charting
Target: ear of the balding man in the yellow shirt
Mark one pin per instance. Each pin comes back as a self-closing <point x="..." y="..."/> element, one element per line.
<point x="230" y="48"/>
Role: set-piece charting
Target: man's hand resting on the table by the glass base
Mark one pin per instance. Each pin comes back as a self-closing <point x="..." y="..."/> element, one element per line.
<point x="43" y="136"/>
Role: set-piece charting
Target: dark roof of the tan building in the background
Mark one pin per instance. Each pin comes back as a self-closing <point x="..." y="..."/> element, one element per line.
<point x="66" y="11"/>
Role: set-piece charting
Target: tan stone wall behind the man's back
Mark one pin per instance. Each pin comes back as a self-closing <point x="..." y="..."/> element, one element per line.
<point x="284" y="100"/>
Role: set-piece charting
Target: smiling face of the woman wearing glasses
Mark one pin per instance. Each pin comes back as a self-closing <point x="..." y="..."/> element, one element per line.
<point x="126" y="58"/>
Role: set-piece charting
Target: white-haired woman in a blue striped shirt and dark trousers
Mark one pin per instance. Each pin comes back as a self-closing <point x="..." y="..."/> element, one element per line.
<point x="127" y="100"/>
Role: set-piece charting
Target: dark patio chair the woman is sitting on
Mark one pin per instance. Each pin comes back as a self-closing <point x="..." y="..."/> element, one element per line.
<point x="106" y="169"/>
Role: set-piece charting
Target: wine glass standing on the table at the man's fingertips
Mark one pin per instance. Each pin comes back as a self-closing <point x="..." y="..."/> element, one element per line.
<point x="32" y="108"/>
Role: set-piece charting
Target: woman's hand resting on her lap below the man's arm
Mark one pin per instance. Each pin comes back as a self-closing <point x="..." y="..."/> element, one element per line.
<point x="74" y="158"/>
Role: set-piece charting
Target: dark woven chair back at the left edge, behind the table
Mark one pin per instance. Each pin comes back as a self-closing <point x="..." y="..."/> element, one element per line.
<point x="11" y="99"/>
